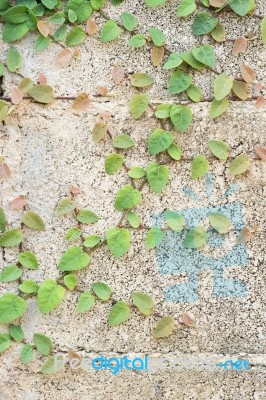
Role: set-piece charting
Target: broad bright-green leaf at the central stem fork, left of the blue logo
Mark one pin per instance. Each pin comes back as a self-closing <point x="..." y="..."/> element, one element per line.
<point x="118" y="241"/>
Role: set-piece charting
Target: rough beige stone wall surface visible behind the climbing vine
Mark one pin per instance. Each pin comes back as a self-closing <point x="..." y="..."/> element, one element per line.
<point x="49" y="148"/>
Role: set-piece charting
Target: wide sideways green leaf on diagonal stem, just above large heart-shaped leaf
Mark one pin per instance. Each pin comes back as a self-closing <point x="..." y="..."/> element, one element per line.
<point x="74" y="259"/>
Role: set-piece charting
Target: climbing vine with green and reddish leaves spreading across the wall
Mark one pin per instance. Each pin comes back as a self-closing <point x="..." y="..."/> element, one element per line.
<point x="67" y="24"/>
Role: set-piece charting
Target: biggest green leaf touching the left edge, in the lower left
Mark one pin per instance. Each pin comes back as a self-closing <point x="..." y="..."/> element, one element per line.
<point x="12" y="307"/>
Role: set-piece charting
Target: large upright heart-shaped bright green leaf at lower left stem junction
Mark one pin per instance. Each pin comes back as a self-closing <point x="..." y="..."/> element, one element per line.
<point x="50" y="295"/>
